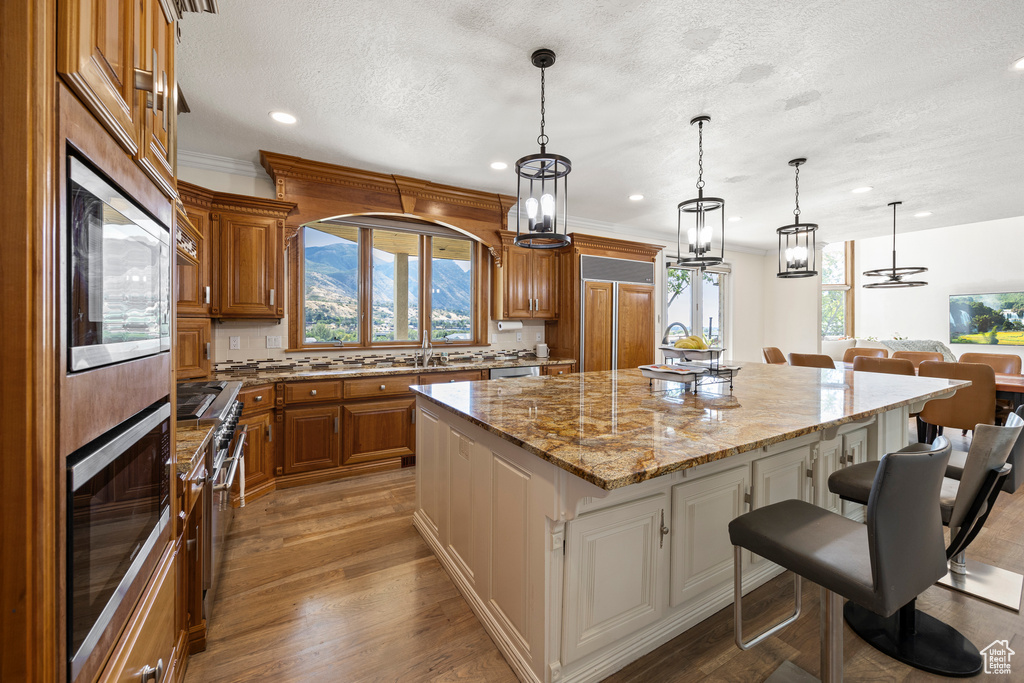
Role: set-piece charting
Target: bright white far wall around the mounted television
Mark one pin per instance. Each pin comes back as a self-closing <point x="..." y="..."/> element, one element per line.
<point x="977" y="259"/>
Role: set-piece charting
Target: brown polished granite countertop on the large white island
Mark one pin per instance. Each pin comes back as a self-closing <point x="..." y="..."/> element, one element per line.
<point x="616" y="429"/>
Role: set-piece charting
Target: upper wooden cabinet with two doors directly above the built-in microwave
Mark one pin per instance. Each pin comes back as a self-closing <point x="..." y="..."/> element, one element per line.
<point x="118" y="56"/>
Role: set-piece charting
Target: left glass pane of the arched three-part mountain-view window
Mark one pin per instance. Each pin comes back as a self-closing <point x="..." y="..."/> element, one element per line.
<point x="332" y="284"/>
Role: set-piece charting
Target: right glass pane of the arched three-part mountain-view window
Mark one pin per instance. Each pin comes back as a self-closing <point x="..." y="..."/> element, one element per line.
<point x="451" y="289"/>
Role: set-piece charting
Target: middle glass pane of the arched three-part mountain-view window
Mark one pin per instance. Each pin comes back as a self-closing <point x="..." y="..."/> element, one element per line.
<point x="396" y="278"/>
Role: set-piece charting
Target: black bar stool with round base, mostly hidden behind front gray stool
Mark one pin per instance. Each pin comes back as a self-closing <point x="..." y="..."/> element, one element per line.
<point x="913" y="637"/>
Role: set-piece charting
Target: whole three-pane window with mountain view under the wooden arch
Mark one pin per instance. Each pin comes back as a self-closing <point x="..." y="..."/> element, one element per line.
<point x="403" y="293"/>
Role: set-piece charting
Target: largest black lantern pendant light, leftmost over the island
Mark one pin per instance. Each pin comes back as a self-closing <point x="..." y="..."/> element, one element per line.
<point x="542" y="185"/>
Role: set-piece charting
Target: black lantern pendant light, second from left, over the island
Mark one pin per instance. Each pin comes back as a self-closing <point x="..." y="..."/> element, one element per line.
<point x="708" y="227"/>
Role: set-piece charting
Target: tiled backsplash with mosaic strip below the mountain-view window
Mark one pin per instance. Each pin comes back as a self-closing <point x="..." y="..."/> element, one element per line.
<point x="254" y="354"/>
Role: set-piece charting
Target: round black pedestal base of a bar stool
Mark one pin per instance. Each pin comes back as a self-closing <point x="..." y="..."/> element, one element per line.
<point x="917" y="639"/>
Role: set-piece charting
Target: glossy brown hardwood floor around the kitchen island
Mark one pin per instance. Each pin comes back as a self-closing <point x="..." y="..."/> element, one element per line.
<point x="332" y="583"/>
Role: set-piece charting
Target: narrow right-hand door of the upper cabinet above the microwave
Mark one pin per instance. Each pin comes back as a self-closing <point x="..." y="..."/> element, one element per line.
<point x="157" y="153"/>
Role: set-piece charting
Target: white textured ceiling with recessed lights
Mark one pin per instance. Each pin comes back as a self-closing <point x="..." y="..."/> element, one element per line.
<point x="916" y="99"/>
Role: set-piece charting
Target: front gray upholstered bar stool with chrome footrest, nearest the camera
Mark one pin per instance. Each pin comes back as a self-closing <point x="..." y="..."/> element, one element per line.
<point x="882" y="565"/>
